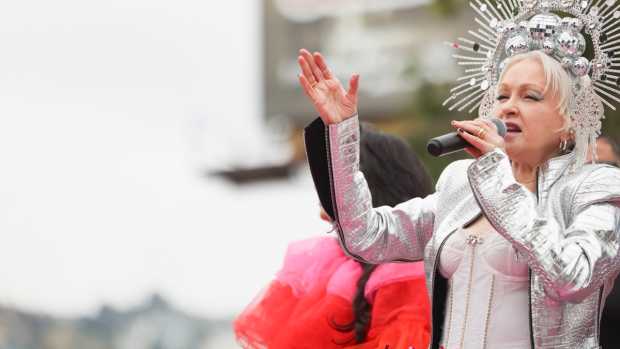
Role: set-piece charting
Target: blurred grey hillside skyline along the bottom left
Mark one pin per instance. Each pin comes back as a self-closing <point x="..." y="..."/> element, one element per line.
<point x="152" y="325"/>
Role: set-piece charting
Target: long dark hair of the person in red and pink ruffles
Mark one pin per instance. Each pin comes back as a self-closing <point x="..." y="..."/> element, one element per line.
<point x="394" y="174"/>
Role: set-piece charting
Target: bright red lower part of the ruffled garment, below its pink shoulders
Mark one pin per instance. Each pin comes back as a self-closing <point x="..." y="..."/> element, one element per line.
<point x="400" y="319"/>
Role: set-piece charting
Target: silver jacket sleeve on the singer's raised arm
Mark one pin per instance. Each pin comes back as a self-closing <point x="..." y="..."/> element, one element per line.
<point x="376" y="235"/>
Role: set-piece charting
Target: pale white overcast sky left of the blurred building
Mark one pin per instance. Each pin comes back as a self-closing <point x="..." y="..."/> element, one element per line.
<point x="109" y="111"/>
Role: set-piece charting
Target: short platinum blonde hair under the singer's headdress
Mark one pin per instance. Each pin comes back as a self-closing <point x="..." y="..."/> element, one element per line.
<point x="557" y="80"/>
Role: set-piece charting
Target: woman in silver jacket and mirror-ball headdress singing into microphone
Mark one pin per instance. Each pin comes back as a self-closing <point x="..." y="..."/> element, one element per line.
<point x="521" y="244"/>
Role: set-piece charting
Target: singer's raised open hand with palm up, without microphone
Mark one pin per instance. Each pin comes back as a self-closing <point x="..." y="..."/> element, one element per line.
<point x="330" y="99"/>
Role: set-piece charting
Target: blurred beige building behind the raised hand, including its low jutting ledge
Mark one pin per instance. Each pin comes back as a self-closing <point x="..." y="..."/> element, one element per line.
<point x="397" y="47"/>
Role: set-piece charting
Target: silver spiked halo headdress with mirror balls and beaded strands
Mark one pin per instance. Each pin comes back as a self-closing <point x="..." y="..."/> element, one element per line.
<point x="556" y="27"/>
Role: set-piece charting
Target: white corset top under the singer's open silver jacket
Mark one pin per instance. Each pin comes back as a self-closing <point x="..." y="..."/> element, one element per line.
<point x="488" y="293"/>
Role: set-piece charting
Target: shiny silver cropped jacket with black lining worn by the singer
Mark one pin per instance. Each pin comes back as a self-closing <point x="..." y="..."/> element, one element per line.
<point x="568" y="231"/>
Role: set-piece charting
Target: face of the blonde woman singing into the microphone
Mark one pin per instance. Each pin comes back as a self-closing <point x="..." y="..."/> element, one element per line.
<point x="532" y="118"/>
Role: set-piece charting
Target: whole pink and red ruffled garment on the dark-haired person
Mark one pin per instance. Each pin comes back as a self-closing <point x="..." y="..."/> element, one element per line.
<point x="287" y="316"/>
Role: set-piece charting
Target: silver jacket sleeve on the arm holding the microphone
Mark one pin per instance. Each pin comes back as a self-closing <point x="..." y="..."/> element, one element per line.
<point x="573" y="256"/>
